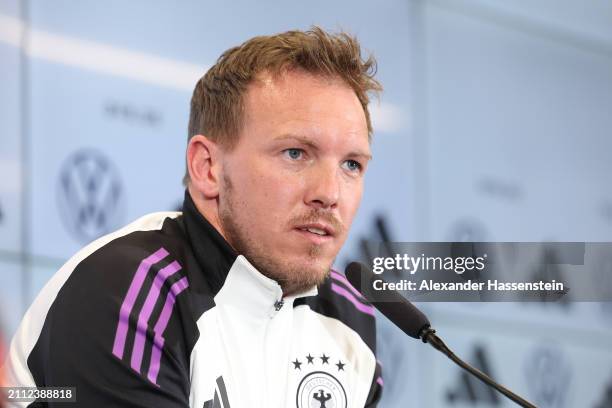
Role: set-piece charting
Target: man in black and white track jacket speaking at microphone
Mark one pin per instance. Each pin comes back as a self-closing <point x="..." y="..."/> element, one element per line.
<point x="230" y="303"/>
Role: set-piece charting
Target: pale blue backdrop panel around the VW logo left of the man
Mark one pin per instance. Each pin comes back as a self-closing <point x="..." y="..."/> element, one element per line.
<point x="136" y="128"/>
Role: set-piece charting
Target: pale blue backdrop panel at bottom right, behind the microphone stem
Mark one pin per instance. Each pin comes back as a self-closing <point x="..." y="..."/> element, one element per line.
<point x="549" y="371"/>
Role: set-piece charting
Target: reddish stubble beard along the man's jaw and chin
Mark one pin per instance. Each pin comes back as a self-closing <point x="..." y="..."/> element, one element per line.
<point x="292" y="277"/>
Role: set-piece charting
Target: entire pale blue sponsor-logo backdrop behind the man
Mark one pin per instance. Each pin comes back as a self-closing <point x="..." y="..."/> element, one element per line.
<point x="495" y="125"/>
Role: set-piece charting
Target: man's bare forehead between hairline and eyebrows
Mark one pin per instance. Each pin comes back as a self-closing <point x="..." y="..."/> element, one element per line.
<point x="295" y="100"/>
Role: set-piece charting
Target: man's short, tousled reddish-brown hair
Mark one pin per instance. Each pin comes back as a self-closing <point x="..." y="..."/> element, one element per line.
<point x="217" y="106"/>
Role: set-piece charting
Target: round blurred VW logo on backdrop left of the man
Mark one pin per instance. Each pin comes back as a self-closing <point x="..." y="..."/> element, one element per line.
<point x="90" y="195"/>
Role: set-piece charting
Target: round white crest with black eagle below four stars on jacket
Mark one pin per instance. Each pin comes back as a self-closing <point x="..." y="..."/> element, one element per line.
<point x="320" y="390"/>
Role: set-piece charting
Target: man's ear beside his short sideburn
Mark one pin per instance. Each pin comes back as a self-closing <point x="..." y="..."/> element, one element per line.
<point x="204" y="164"/>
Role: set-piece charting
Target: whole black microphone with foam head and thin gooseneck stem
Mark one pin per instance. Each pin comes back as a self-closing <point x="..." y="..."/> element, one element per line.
<point x="413" y="322"/>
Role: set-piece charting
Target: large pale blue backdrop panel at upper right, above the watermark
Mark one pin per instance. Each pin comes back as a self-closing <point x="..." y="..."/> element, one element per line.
<point x="534" y="162"/>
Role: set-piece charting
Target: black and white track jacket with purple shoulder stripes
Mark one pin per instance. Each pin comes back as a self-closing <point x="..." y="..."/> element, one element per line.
<point x="163" y="313"/>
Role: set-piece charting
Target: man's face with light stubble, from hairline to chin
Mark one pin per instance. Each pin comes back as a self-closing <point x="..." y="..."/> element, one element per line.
<point x="292" y="184"/>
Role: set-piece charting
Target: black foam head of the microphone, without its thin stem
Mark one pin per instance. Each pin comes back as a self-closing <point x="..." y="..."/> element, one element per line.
<point x="390" y="303"/>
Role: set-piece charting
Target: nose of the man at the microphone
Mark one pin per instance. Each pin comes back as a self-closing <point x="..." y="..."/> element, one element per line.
<point x="323" y="187"/>
